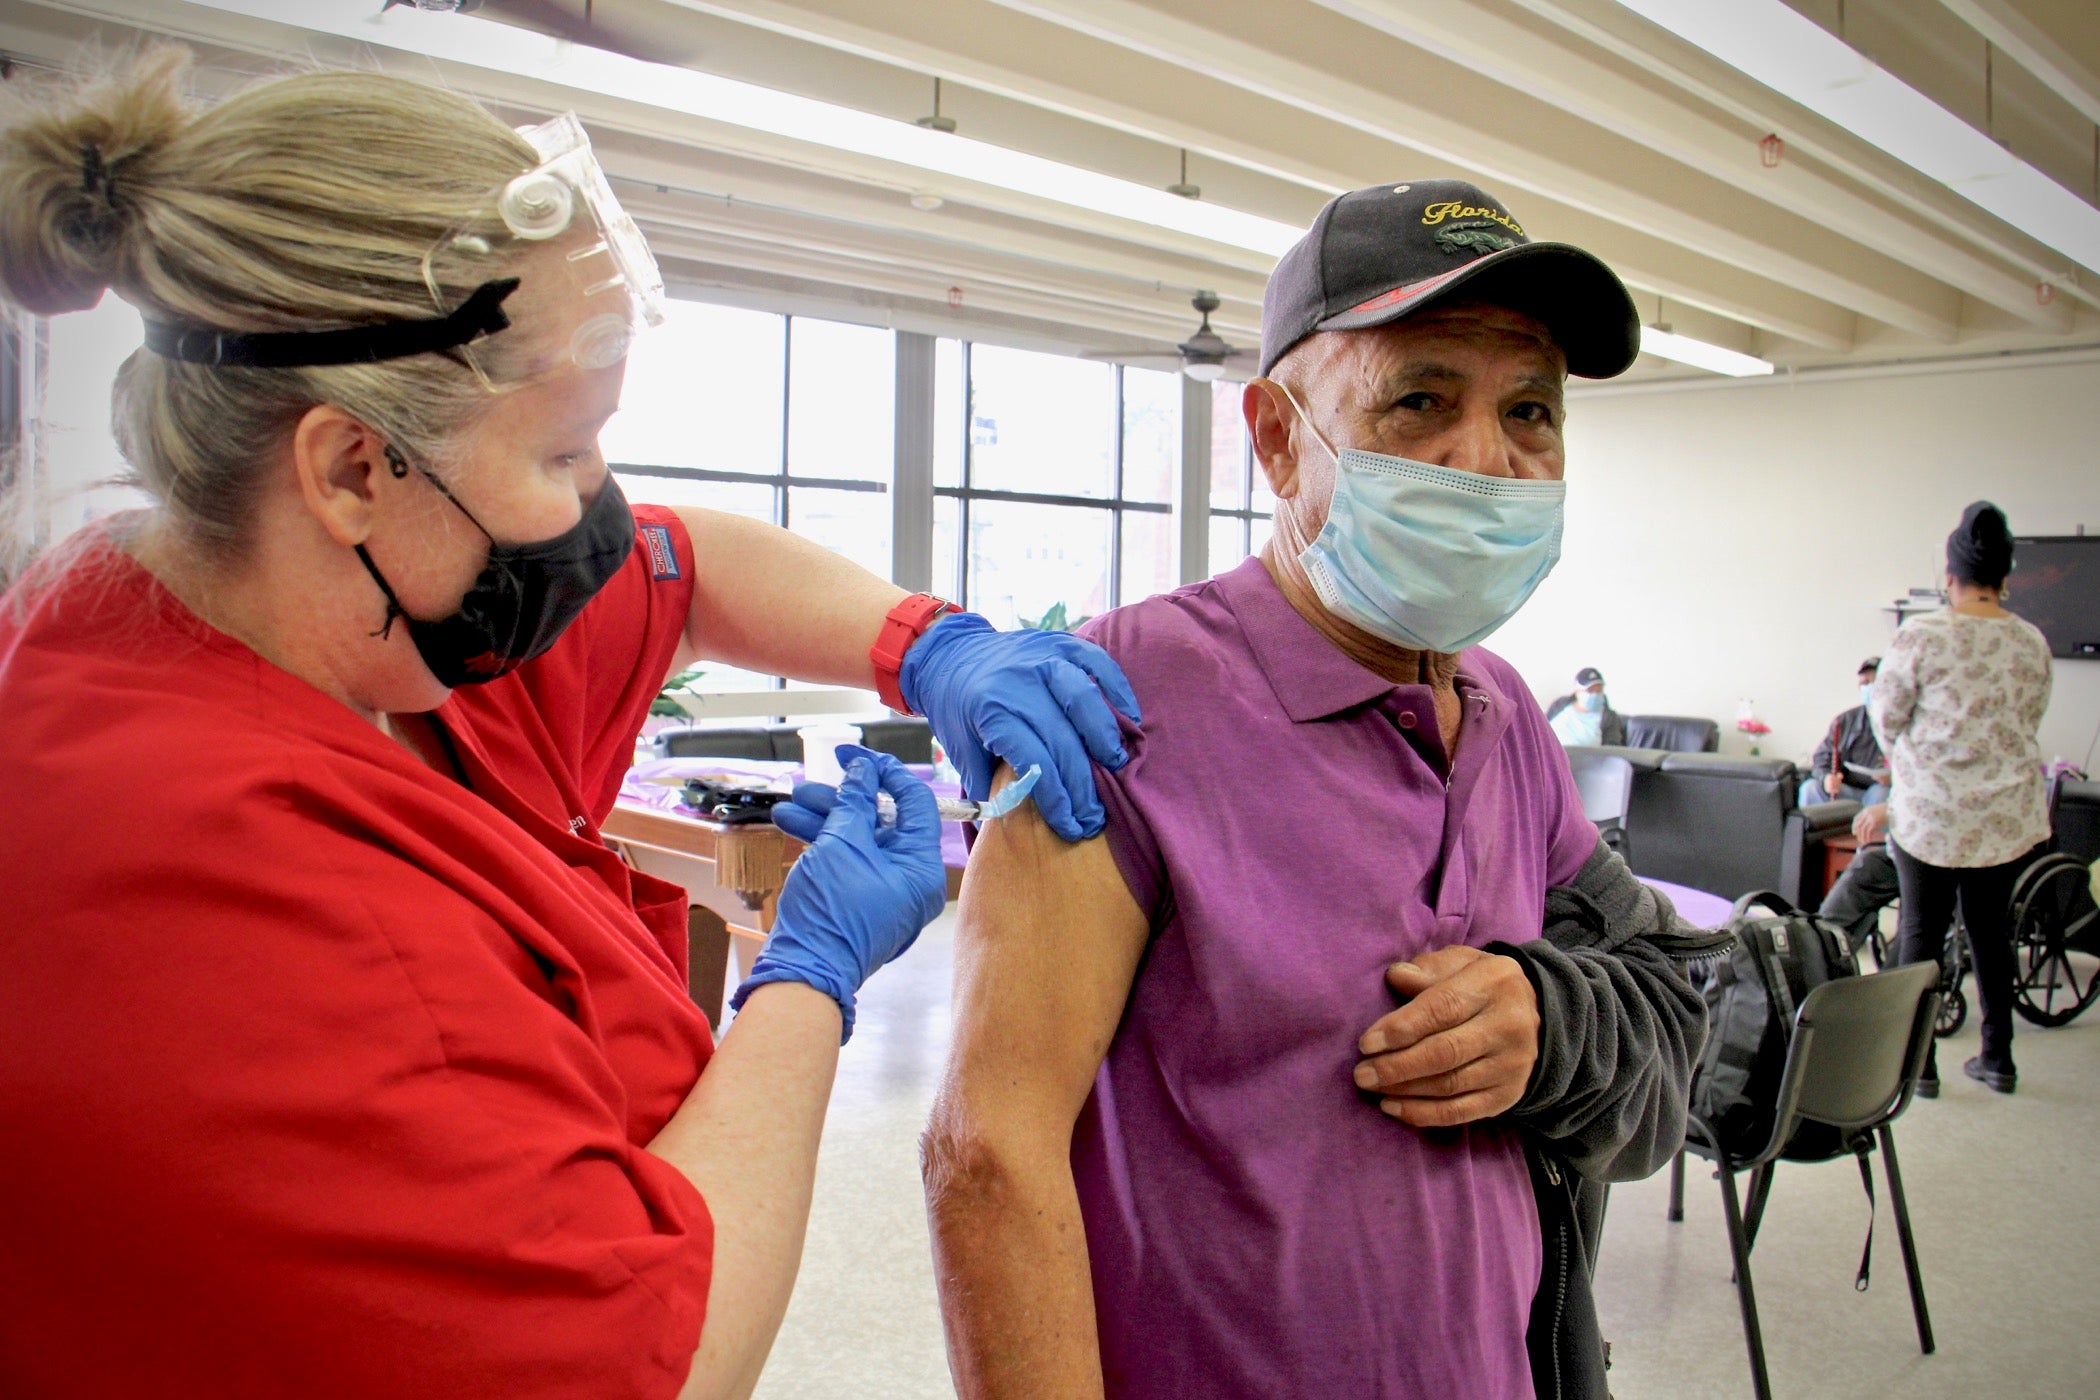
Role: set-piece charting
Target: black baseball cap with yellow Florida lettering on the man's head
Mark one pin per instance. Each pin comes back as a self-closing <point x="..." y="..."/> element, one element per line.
<point x="1383" y="253"/>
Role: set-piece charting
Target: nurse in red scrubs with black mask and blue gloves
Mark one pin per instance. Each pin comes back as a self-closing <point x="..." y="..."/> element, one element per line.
<point x="339" y="1057"/>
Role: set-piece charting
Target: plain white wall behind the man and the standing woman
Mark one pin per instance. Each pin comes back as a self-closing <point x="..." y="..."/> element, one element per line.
<point x="1740" y="543"/>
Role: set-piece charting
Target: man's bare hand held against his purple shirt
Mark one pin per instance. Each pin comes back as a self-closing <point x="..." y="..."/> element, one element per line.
<point x="1465" y="1044"/>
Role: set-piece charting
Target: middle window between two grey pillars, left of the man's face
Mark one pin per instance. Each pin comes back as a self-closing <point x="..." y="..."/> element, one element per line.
<point x="1053" y="484"/>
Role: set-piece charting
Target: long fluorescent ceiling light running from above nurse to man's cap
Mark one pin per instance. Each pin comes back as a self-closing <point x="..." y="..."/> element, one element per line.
<point x="507" y="49"/>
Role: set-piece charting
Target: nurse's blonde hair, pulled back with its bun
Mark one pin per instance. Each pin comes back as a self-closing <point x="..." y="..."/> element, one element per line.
<point x="303" y="203"/>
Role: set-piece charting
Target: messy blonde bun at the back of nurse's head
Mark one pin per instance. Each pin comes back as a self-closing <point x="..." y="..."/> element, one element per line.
<point x="77" y="179"/>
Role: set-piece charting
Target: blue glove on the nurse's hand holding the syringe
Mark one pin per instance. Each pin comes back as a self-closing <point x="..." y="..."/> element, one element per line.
<point x="862" y="893"/>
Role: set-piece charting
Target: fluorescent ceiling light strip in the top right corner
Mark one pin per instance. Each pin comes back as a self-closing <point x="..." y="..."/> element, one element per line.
<point x="1797" y="58"/>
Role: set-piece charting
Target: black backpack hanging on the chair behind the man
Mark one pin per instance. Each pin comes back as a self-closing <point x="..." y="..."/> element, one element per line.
<point x="1752" y="996"/>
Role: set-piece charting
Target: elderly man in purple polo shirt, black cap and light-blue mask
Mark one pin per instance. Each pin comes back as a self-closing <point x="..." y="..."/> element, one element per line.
<point x="1276" y="1090"/>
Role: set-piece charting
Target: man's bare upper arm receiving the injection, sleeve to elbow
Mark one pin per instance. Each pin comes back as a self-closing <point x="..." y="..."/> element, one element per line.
<point x="1047" y="946"/>
